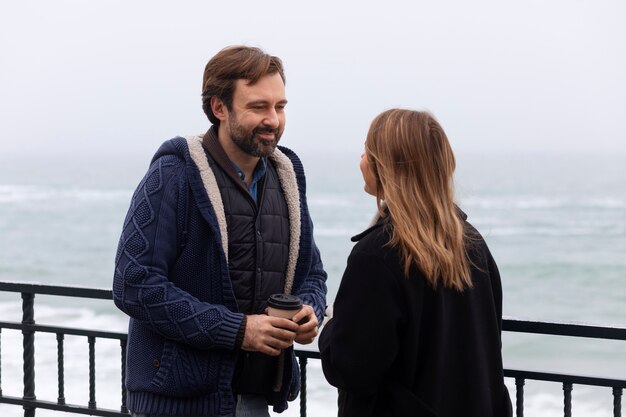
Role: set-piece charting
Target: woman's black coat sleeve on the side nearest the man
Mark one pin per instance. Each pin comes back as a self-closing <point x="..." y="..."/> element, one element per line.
<point x="360" y="343"/>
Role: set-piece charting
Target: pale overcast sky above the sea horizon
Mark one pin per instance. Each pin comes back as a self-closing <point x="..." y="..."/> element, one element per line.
<point x="83" y="76"/>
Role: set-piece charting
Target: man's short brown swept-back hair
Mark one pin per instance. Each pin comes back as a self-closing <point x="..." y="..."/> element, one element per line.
<point x="231" y="64"/>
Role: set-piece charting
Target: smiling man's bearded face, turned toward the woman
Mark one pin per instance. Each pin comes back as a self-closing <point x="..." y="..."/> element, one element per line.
<point x="257" y="119"/>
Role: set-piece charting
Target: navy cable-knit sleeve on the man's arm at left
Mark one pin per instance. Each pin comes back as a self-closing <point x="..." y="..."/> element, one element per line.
<point x="147" y="250"/>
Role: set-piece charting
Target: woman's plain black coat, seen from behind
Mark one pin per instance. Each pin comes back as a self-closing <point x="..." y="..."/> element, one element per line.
<point x="399" y="347"/>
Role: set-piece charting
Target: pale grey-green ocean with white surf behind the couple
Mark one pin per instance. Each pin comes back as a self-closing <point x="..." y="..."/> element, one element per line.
<point x="555" y="223"/>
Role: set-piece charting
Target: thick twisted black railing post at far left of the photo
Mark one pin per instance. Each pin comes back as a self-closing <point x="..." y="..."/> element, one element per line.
<point x="28" y="320"/>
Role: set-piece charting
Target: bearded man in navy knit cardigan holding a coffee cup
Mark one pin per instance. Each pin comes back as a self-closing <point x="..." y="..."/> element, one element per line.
<point x="218" y="224"/>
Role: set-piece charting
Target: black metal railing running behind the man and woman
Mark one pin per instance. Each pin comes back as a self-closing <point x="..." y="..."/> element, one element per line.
<point x="29" y="327"/>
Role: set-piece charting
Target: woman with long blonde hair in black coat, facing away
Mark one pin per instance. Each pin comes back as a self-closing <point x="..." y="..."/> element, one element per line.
<point x="417" y="317"/>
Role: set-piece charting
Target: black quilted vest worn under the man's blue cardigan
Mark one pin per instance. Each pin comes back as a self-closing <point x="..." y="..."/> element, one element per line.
<point x="258" y="251"/>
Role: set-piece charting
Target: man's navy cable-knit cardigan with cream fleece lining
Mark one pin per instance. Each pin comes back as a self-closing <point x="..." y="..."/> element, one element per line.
<point x="172" y="279"/>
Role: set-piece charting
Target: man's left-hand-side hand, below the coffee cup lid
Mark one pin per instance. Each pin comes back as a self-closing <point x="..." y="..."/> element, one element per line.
<point x="267" y="334"/>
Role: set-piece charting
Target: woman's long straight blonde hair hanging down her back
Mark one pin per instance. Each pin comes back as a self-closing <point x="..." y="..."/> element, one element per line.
<point x="413" y="164"/>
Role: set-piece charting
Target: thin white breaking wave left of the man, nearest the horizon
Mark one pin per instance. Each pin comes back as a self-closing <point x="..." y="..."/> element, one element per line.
<point x="17" y="194"/>
